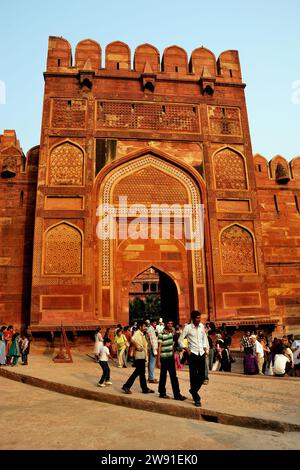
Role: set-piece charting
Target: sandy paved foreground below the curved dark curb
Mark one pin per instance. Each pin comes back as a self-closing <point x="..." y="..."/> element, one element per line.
<point x="38" y="419"/>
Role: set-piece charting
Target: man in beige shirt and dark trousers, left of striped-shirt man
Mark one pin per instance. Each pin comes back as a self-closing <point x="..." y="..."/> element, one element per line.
<point x="140" y="345"/>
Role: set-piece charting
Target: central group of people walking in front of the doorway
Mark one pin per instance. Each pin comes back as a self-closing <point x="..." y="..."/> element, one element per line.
<point x="157" y="344"/>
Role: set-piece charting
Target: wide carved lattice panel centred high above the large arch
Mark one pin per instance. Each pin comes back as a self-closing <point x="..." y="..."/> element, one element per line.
<point x="168" y="117"/>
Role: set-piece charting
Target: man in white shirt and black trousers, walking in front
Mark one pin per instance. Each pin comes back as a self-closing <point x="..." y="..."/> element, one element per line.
<point x="198" y="350"/>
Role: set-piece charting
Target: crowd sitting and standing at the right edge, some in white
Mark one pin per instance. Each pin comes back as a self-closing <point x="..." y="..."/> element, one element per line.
<point x="281" y="358"/>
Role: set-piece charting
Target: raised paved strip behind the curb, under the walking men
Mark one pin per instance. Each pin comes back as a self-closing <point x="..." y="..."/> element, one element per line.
<point x="272" y="398"/>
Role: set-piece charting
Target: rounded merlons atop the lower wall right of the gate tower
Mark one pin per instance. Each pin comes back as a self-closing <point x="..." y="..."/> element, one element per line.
<point x="278" y="170"/>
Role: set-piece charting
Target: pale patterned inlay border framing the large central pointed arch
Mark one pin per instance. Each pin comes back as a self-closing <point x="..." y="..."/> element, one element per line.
<point x="146" y="159"/>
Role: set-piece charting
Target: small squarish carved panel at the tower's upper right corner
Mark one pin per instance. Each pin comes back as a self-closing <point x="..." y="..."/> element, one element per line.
<point x="224" y="121"/>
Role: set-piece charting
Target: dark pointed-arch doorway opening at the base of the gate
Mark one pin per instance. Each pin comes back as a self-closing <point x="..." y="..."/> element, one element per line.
<point x="153" y="294"/>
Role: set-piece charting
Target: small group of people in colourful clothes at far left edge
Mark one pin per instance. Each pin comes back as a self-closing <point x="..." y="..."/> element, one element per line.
<point x="13" y="346"/>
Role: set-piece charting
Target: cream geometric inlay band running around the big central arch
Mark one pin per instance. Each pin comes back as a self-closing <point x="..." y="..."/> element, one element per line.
<point x="141" y="163"/>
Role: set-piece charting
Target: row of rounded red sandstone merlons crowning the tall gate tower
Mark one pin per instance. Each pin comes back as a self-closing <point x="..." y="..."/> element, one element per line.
<point x="146" y="60"/>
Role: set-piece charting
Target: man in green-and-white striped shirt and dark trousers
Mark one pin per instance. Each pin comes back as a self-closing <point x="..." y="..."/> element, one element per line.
<point x="166" y="363"/>
